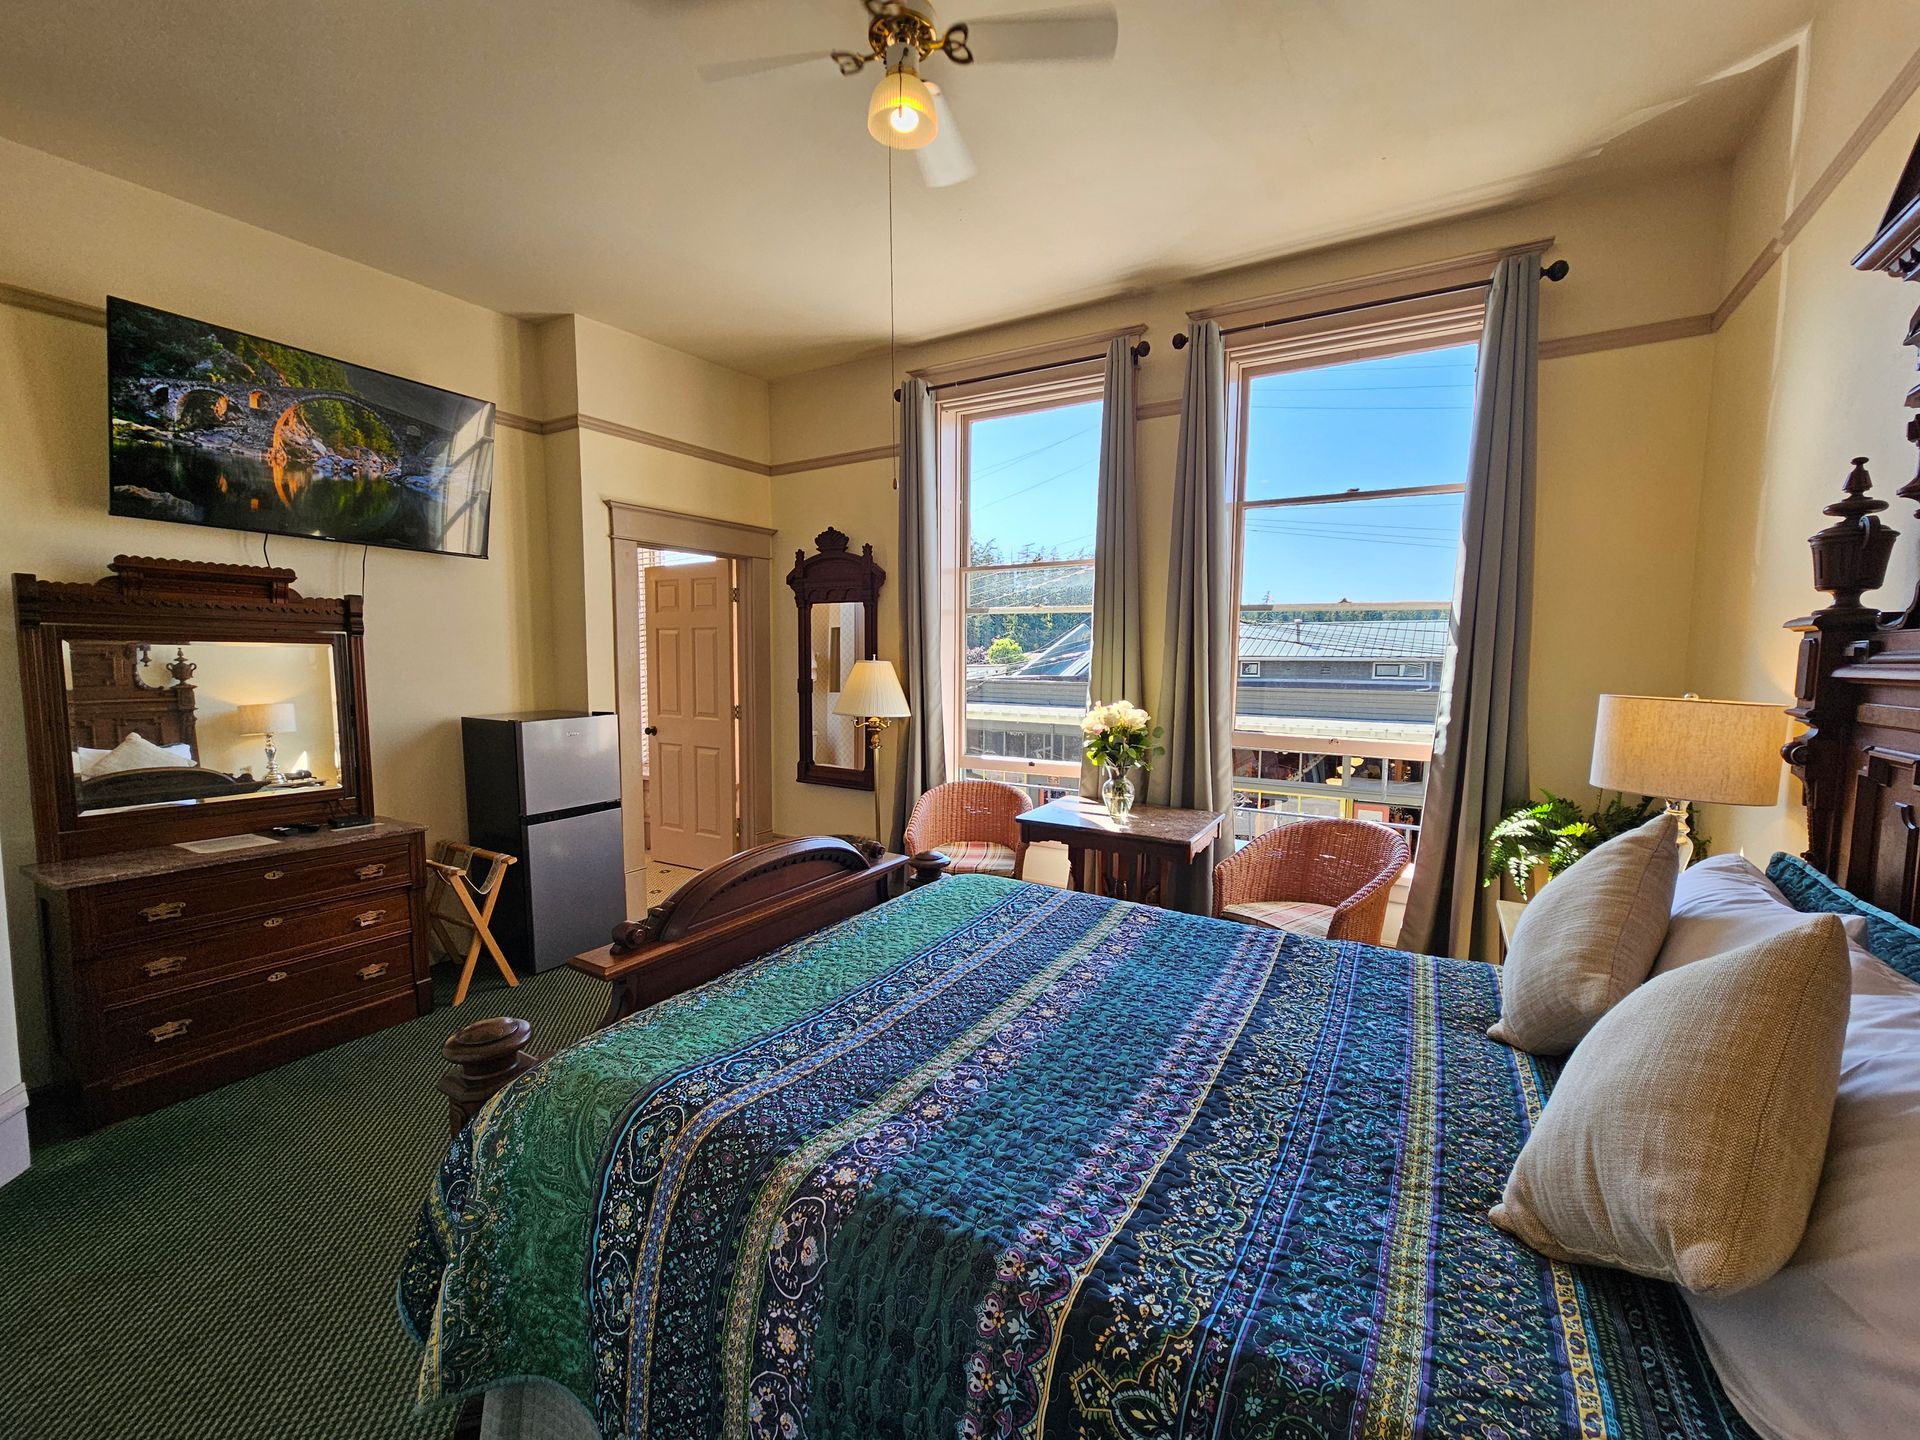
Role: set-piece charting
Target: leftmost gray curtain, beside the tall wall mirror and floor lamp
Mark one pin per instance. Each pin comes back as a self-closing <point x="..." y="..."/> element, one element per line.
<point x="923" y="740"/>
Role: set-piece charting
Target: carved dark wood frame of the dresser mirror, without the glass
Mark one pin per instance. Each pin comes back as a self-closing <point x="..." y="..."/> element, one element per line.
<point x="180" y="604"/>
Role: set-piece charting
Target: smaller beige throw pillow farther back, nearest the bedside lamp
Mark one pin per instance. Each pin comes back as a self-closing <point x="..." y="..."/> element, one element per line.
<point x="1587" y="940"/>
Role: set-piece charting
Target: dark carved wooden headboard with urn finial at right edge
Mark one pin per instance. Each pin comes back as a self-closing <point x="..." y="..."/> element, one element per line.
<point x="1860" y="669"/>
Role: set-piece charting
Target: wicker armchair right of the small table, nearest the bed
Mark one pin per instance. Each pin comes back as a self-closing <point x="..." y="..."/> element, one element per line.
<point x="1314" y="878"/>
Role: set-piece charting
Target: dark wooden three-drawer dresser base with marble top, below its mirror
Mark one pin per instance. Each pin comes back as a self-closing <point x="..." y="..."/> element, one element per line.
<point x="176" y="972"/>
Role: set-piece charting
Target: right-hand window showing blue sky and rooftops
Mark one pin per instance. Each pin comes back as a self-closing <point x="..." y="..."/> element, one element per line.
<point x="1351" y="475"/>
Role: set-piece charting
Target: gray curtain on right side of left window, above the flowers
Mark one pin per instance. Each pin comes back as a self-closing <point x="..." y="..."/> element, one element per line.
<point x="1116" y="663"/>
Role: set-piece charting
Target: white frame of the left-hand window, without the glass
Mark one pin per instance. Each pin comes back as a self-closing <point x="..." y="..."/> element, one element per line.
<point x="957" y="410"/>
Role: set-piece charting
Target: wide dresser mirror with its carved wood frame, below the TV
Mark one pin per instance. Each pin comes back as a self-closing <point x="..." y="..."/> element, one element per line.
<point x="180" y="702"/>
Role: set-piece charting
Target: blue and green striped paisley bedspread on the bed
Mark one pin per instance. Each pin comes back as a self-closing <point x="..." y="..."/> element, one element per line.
<point x="1003" y="1161"/>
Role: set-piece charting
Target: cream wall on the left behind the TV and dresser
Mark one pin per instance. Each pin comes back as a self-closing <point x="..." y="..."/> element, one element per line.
<point x="529" y="627"/>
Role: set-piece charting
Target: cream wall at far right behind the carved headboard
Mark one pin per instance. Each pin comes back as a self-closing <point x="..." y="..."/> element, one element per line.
<point x="1810" y="372"/>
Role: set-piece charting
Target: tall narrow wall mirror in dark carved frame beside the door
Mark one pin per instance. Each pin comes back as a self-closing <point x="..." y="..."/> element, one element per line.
<point x="838" y="596"/>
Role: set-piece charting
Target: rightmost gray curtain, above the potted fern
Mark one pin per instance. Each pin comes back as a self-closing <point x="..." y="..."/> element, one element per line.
<point x="1479" y="767"/>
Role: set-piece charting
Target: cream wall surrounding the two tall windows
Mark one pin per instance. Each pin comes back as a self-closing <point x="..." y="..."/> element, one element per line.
<point x="1618" y="498"/>
